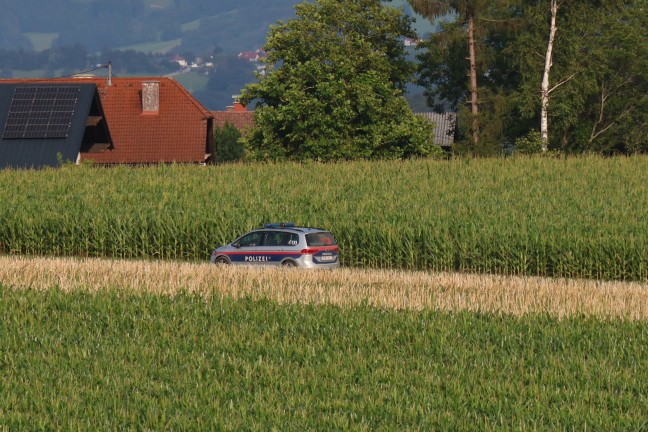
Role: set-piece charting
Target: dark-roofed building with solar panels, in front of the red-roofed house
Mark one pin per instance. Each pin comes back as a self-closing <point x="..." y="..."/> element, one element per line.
<point x="44" y="124"/>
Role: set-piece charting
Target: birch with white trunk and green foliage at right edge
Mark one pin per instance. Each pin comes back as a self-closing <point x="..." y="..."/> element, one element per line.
<point x="599" y="98"/>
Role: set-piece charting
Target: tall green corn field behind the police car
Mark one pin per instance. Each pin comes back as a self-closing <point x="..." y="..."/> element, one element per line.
<point x="581" y="217"/>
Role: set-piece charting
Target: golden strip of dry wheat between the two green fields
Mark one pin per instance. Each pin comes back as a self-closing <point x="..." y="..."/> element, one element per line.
<point x="345" y="287"/>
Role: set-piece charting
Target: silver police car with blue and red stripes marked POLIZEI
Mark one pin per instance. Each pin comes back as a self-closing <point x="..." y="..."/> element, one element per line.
<point x="281" y="244"/>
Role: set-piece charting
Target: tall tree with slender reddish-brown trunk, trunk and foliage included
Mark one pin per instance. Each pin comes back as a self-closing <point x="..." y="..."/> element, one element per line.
<point x="478" y="32"/>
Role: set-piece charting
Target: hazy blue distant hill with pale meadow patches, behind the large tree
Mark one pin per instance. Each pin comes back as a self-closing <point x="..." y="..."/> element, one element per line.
<point x="146" y="25"/>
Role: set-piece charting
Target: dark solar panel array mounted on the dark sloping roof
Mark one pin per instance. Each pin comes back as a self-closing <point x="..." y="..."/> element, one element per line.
<point x="41" y="112"/>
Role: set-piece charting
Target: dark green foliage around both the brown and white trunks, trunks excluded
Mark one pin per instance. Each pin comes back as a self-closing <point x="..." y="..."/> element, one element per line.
<point x="599" y="75"/>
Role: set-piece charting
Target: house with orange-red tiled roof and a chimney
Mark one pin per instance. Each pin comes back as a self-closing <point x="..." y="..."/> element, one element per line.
<point x="150" y="119"/>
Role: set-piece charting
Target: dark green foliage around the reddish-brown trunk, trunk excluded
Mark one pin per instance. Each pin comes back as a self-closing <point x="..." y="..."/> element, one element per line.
<point x="444" y="67"/>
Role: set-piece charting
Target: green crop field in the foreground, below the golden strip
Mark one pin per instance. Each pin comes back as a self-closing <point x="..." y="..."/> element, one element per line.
<point x="114" y="360"/>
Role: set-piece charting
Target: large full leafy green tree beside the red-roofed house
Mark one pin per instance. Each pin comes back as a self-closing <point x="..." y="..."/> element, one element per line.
<point x="333" y="86"/>
